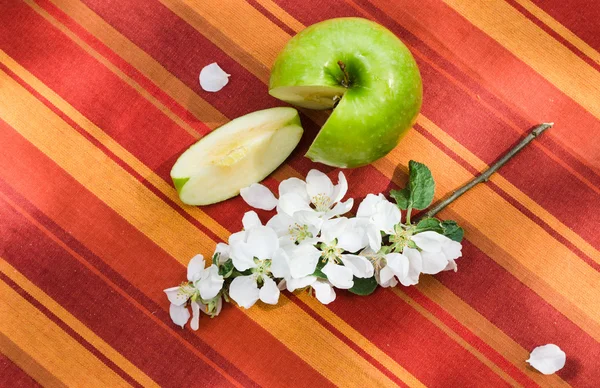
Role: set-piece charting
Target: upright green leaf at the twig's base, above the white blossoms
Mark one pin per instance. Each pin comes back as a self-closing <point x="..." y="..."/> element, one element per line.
<point x="418" y="193"/>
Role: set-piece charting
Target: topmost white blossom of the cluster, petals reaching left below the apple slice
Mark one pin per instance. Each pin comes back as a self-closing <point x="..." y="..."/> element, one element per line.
<point x="318" y="194"/>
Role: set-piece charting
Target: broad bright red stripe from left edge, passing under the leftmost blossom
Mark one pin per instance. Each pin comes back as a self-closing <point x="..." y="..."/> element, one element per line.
<point x="140" y="262"/>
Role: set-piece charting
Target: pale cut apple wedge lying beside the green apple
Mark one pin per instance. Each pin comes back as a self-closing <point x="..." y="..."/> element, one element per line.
<point x="241" y="152"/>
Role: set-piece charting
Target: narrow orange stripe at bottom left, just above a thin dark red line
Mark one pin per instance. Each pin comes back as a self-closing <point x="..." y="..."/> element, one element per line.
<point x="76" y="325"/>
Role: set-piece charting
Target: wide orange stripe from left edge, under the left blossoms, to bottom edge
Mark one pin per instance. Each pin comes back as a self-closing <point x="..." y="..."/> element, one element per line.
<point x="133" y="201"/>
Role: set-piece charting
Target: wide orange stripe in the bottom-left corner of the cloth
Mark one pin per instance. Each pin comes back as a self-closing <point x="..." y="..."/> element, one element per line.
<point x="50" y="347"/>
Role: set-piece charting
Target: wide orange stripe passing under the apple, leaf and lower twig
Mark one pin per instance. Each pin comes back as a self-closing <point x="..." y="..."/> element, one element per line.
<point x="555" y="286"/>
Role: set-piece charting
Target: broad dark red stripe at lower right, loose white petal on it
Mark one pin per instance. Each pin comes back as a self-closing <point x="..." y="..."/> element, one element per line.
<point x="522" y="314"/>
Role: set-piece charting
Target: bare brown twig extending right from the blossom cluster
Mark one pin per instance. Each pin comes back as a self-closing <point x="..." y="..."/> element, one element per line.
<point x="485" y="176"/>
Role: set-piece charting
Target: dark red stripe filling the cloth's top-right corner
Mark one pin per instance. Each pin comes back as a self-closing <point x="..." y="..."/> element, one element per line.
<point x="579" y="16"/>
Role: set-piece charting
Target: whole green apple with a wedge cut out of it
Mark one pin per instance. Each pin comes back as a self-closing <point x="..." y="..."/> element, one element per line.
<point x="381" y="102"/>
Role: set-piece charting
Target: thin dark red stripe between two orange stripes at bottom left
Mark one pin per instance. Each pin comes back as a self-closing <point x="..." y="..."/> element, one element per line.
<point x="114" y="367"/>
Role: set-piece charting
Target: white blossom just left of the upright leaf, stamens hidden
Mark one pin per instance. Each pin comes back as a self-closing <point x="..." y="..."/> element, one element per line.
<point x="381" y="216"/>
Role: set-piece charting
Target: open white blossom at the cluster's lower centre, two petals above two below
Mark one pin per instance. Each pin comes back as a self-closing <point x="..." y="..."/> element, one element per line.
<point x="340" y="235"/>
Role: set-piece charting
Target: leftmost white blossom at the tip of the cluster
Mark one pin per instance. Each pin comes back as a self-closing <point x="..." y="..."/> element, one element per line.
<point x="202" y="288"/>
